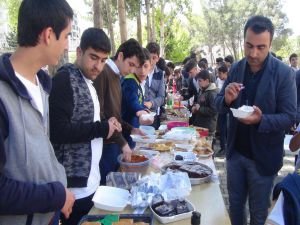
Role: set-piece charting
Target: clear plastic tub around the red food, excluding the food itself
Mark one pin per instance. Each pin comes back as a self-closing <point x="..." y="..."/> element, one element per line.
<point x="138" y="167"/>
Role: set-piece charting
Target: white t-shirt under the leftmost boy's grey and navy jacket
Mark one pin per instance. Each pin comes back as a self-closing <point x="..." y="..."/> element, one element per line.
<point x="34" y="91"/>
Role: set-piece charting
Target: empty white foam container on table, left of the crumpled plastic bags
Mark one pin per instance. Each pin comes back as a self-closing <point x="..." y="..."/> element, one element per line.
<point x="111" y="198"/>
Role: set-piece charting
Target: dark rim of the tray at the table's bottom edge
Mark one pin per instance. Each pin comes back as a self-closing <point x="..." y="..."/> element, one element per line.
<point x="147" y="218"/>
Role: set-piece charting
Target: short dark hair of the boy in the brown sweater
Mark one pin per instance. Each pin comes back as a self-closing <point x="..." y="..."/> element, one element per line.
<point x="131" y="48"/>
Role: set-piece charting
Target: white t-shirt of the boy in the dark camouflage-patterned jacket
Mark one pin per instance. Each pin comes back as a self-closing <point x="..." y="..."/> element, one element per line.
<point x="96" y="145"/>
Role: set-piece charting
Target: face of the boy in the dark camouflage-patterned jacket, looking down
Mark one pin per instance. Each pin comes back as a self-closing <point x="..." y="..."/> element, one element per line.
<point x="91" y="62"/>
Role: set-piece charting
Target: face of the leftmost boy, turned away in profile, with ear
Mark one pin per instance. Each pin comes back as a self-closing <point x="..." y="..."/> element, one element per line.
<point x="56" y="47"/>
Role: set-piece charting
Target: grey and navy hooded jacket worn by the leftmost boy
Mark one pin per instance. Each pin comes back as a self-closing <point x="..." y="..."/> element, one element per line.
<point x="31" y="180"/>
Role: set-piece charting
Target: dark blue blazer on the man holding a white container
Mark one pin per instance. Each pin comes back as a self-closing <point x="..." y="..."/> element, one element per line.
<point x="276" y="98"/>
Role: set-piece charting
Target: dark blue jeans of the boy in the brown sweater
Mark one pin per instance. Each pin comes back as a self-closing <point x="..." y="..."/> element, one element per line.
<point x="109" y="162"/>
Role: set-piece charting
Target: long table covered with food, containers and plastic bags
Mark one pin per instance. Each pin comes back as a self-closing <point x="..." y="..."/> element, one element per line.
<point x="171" y="179"/>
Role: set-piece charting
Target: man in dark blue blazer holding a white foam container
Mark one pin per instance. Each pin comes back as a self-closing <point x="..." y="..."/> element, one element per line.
<point x="255" y="142"/>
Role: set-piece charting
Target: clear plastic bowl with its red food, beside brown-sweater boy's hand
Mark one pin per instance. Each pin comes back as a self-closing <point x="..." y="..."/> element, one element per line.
<point x="139" y="163"/>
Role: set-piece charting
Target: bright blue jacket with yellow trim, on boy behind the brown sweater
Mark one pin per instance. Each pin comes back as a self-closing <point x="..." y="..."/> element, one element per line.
<point x="132" y="99"/>
